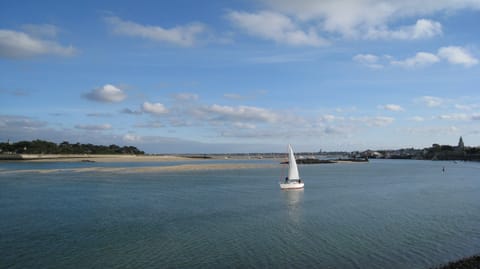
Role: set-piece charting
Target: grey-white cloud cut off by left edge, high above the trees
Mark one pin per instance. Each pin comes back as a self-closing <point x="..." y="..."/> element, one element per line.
<point x="18" y="45"/>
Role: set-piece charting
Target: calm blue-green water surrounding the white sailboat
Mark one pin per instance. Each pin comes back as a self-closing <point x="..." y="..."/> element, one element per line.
<point x="384" y="214"/>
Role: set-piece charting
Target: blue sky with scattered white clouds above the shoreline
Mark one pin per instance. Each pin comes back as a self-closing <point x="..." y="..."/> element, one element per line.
<point x="241" y="76"/>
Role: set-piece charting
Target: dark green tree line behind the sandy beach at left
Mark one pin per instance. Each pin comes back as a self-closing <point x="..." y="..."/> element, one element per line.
<point x="46" y="147"/>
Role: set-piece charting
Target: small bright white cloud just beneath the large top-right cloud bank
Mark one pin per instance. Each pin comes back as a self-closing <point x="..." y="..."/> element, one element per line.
<point x="421" y="29"/>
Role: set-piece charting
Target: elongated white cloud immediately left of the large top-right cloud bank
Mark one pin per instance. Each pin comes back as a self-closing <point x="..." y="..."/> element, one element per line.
<point x="277" y="27"/>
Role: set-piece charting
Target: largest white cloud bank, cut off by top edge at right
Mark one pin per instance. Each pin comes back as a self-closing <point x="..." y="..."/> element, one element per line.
<point x="356" y="18"/>
